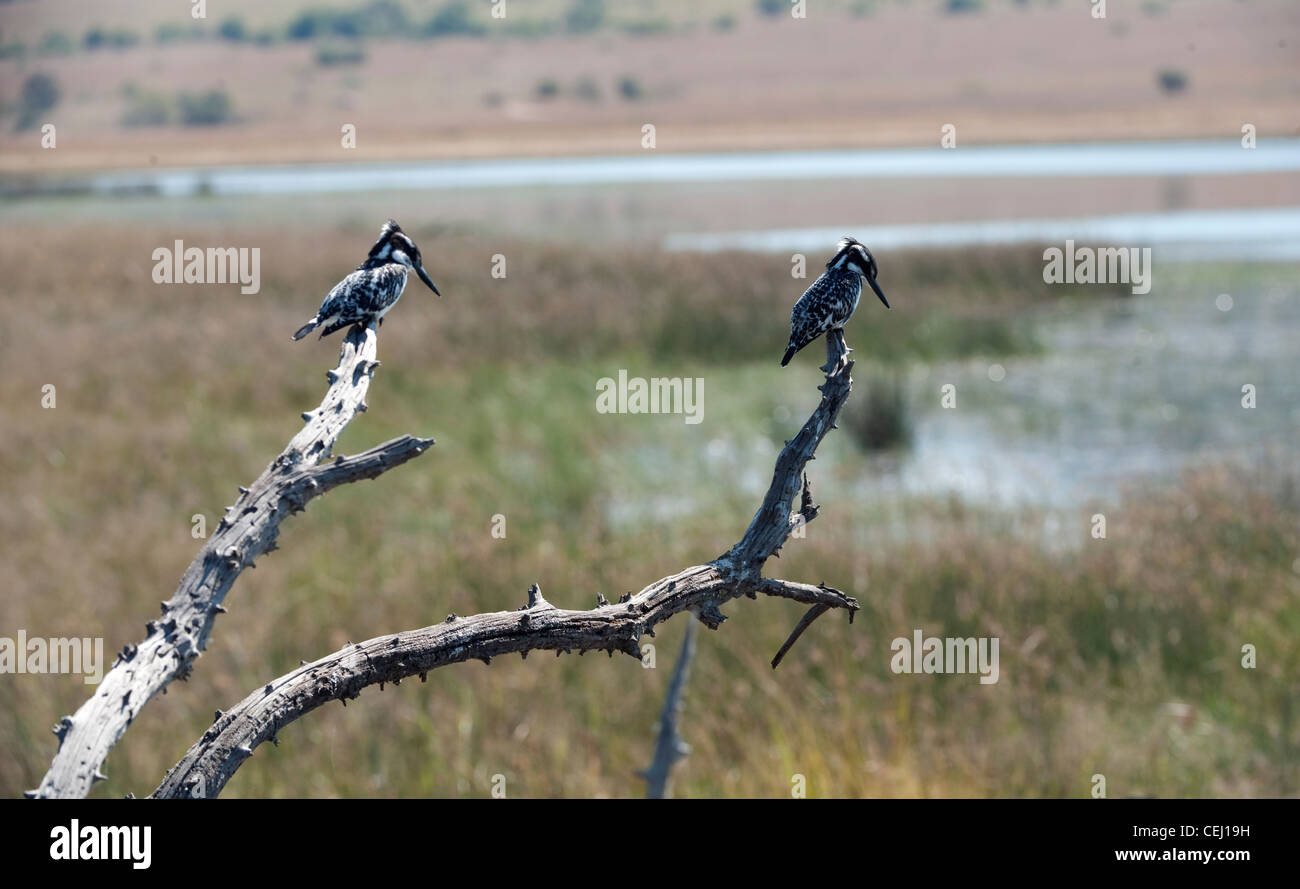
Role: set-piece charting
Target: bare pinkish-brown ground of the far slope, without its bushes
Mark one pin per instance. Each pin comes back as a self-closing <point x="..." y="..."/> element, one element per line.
<point x="894" y="77"/>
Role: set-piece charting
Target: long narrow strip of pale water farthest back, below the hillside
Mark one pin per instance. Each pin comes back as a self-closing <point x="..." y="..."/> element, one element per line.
<point x="1017" y="161"/>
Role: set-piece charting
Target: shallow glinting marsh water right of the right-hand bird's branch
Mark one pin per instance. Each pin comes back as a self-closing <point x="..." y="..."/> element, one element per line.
<point x="1133" y="389"/>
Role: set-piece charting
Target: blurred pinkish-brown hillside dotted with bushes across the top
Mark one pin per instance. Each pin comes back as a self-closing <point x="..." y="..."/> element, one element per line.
<point x="141" y="83"/>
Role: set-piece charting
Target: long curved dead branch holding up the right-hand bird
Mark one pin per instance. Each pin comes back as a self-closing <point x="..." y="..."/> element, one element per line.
<point x="539" y="626"/>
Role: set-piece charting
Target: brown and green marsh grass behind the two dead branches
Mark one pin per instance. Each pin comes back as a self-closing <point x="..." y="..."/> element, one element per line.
<point x="1119" y="657"/>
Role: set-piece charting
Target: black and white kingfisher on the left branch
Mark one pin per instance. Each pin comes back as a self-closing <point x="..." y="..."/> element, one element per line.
<point x="367" y="294"/>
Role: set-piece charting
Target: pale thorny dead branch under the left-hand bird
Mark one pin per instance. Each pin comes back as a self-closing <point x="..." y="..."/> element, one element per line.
<point x="248" y="531"/>
